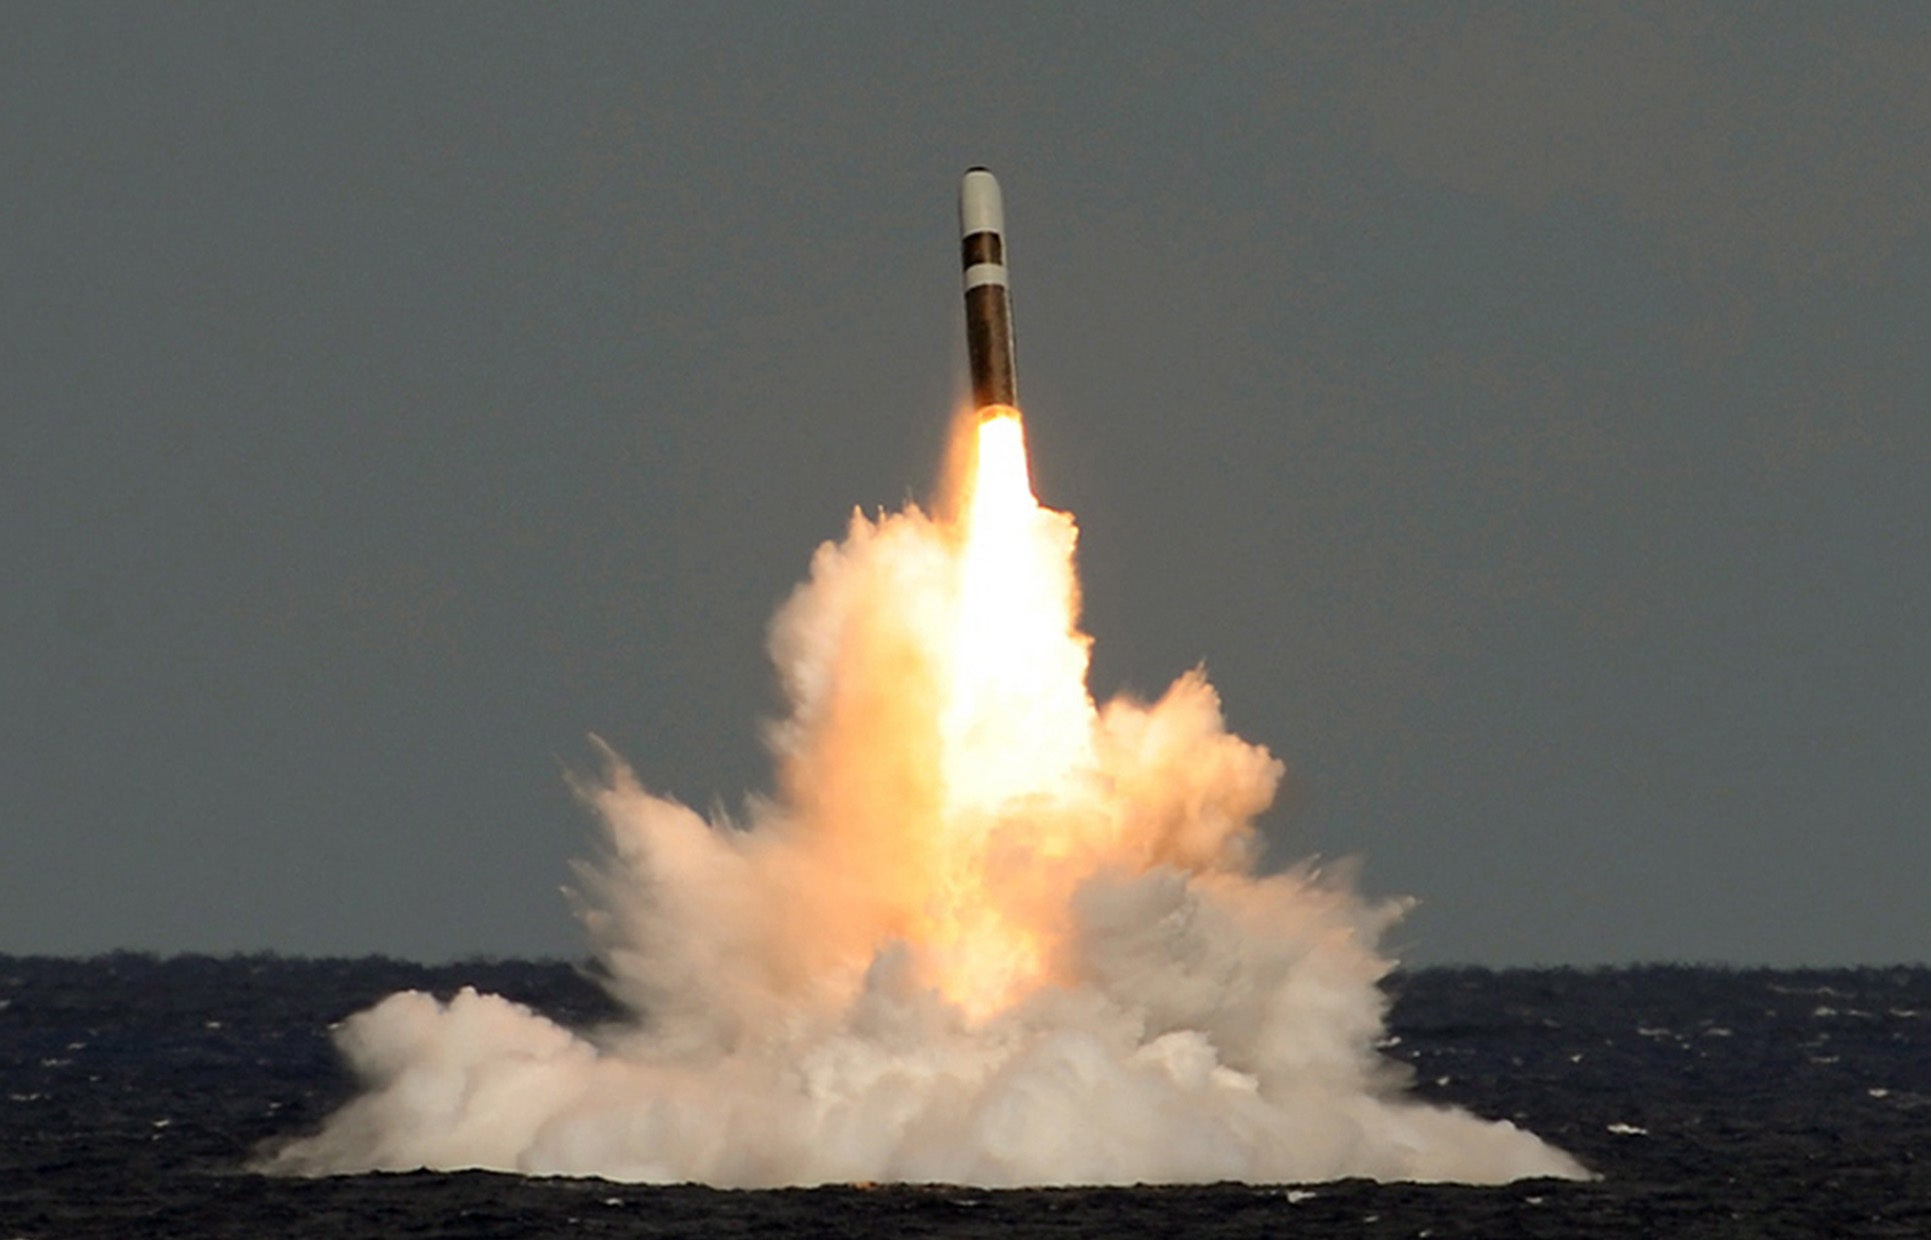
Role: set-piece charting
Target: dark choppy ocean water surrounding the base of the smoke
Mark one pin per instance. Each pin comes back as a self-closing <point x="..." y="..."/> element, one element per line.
<point x="1712" y="1102"/>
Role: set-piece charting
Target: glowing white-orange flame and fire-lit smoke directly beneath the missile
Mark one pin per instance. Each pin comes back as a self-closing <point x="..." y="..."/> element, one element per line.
<point x="945" y="774"/>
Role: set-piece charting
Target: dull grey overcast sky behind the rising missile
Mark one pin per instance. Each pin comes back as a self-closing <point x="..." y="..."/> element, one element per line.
<point x="1521" y="410"/>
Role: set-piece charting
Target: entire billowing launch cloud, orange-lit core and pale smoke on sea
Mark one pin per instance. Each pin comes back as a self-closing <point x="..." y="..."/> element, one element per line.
<point x="984" y="934"/>
